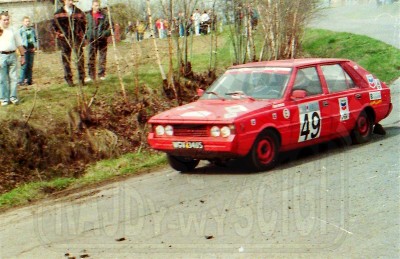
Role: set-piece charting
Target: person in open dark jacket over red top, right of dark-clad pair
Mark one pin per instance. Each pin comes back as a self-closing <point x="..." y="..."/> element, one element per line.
<point x="97" y="33"/>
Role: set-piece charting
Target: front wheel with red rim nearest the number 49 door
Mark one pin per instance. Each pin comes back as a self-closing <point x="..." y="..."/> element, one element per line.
<point x="264" y="152"/>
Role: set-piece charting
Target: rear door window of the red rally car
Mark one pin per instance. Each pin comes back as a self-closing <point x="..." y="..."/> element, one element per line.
<point x="336" y="78"/>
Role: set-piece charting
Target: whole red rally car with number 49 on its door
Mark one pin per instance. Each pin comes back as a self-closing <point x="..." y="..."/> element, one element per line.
<point x="256" y="110"/>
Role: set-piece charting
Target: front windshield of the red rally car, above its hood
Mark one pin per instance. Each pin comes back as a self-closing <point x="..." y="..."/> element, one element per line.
<point x="253" y="83"/>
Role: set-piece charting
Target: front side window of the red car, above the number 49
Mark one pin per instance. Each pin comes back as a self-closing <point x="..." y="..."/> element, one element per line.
<point x="307" y="79"/>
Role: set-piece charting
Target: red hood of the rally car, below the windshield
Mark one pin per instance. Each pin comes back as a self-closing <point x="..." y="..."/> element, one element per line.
<point x="211" y="111"/>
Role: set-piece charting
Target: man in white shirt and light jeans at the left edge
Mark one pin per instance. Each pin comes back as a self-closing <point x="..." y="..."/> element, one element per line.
<point x="9" y="42"/>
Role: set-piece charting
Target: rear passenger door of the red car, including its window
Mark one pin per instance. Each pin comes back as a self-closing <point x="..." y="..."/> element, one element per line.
<point x="344" y="98"/>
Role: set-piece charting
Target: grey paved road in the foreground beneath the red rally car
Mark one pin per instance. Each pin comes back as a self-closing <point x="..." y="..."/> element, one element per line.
<point x="342" y="202"/>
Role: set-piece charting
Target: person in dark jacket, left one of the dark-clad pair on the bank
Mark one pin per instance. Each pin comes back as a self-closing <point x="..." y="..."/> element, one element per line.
<point x="70" y="25"/>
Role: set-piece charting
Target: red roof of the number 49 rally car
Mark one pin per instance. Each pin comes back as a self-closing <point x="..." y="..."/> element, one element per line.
<point x="291" y="62"/>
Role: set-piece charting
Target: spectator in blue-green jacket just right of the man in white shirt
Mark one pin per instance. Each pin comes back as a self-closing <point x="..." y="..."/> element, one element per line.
<point x="29" y="41"/>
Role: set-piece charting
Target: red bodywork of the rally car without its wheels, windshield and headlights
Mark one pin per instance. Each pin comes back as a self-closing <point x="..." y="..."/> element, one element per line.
<point x="298" y="122"/>
